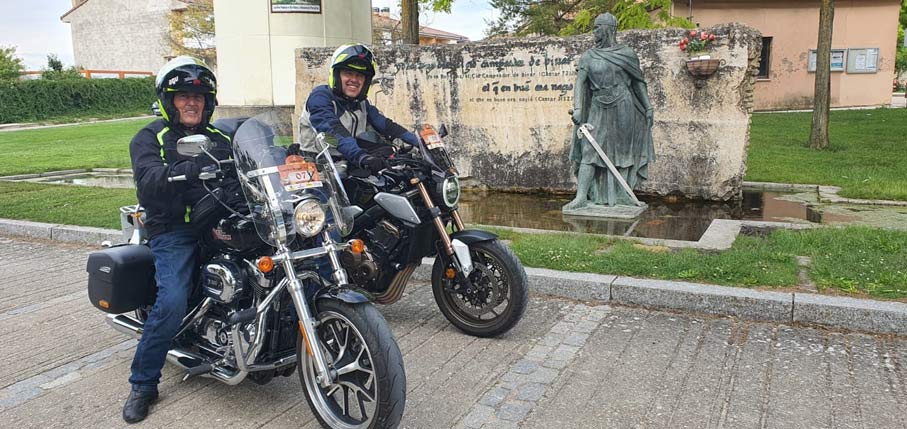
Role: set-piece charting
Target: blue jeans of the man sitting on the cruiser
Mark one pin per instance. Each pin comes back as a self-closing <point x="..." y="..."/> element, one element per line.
<point x="174" y="260"/>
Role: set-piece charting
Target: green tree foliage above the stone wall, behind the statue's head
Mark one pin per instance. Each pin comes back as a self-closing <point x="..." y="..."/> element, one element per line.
<point x="569" y="17"/>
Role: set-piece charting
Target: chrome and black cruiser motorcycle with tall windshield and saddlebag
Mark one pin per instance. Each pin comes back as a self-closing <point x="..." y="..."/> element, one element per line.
<point x="260" y="307"/>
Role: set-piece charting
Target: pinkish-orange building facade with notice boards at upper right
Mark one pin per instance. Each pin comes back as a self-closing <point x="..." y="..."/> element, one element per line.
<point x="863" y="47"/>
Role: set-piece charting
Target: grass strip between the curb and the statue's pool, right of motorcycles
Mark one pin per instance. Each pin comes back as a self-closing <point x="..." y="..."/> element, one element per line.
<point x="854" y="260"/>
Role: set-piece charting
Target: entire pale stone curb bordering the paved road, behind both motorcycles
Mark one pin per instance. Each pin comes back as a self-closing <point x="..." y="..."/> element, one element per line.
<point x="837" y="312"/>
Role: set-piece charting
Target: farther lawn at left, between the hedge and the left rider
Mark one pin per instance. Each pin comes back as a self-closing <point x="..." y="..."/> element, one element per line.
<point x="62" y="148"/>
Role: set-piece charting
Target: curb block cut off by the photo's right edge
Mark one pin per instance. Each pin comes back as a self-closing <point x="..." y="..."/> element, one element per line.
<point x="851" y="313"/>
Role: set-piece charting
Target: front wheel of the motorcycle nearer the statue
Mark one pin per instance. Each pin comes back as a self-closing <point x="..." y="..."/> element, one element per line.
<point x="498" y="296"/>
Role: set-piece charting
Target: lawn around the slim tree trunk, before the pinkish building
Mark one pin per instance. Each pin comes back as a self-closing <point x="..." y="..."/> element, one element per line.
<point x="865" y="158"/>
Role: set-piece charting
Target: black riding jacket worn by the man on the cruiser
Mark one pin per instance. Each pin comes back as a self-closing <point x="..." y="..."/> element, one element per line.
<point x="153" y="150"/>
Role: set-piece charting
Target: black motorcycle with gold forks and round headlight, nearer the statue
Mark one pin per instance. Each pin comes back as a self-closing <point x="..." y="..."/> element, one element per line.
<point x="477" y="281"/>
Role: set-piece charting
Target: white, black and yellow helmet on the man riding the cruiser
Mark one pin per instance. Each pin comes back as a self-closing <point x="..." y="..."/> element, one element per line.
<point x="185" y="74"/>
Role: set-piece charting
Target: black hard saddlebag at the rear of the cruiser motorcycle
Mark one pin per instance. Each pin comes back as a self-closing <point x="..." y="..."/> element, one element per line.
<point x="121" y="278"/>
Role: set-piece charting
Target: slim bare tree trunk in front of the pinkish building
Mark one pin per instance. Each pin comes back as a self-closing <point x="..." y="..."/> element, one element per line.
<point x="818" y="137"/>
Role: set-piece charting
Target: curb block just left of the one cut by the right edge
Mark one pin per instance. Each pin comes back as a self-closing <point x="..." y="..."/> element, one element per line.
<point x="700" y="298"/>
